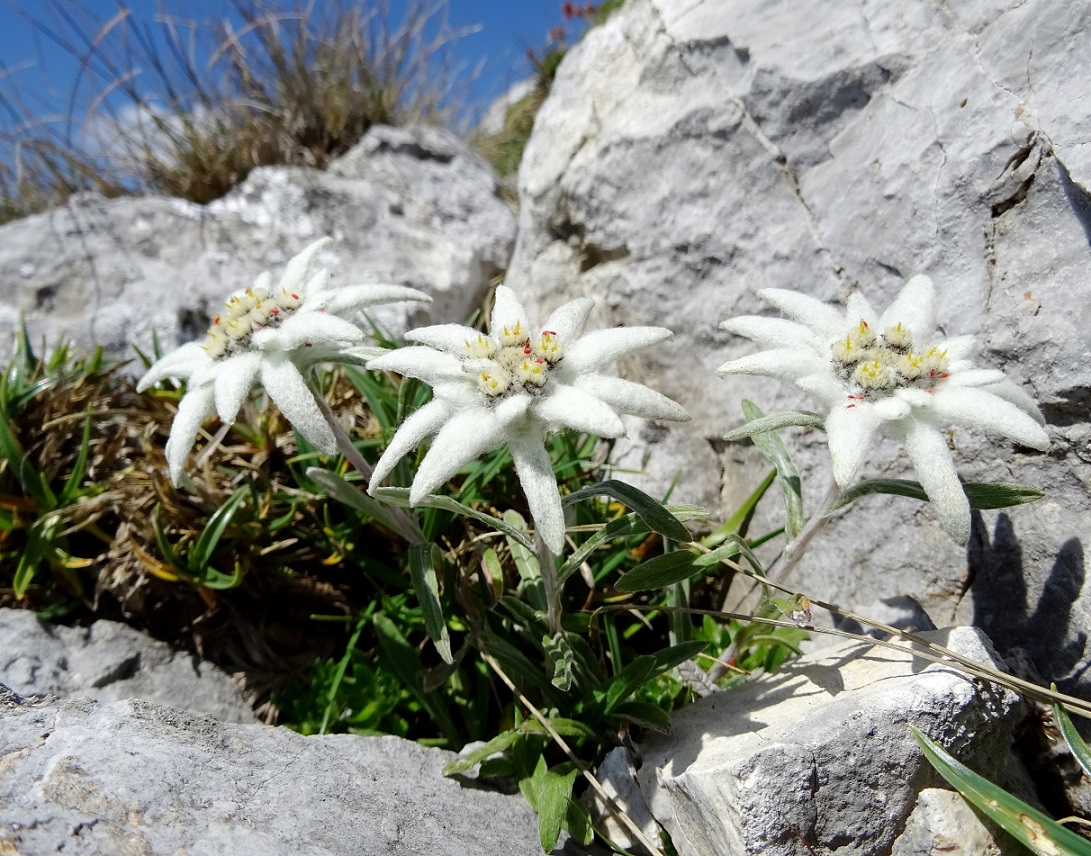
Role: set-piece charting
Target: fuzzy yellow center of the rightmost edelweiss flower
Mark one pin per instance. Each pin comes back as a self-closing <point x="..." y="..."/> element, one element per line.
<point x="872" y="365"/>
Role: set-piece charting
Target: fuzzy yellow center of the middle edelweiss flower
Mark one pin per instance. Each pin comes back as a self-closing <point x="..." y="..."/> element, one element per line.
<point x="513" y="361"/>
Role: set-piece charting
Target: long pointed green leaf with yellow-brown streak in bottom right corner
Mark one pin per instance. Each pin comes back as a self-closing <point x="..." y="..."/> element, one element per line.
<point x="1034" y="829"/>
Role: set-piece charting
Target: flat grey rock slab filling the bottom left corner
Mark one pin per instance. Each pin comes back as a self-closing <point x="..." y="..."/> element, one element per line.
<point x="137" y="778"/>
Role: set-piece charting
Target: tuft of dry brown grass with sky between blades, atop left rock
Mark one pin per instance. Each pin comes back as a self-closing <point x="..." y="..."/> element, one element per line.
<point x="177" y="110"/>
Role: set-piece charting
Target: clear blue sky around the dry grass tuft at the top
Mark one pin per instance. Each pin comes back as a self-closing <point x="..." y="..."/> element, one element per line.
<point x="506" y="30"/>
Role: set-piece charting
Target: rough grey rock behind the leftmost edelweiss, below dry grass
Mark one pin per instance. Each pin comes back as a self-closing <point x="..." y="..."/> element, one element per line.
<point x="411" y="207"/>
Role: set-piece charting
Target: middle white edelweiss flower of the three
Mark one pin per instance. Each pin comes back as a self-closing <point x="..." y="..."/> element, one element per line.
<point x="515" y="387"/>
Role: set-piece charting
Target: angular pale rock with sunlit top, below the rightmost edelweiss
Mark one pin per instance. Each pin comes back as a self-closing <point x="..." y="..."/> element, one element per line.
<point x="821" y="754"/>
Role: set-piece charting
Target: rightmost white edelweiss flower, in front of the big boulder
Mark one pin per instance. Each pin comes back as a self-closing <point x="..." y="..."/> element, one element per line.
<point x="890" y="370"/>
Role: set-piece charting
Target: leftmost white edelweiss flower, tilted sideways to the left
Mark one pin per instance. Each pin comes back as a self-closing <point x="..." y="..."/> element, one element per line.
<point x="273" y="336"/>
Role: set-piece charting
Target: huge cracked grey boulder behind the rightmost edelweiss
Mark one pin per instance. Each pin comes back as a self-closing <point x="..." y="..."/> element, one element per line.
<point x="693" y="152"/>
